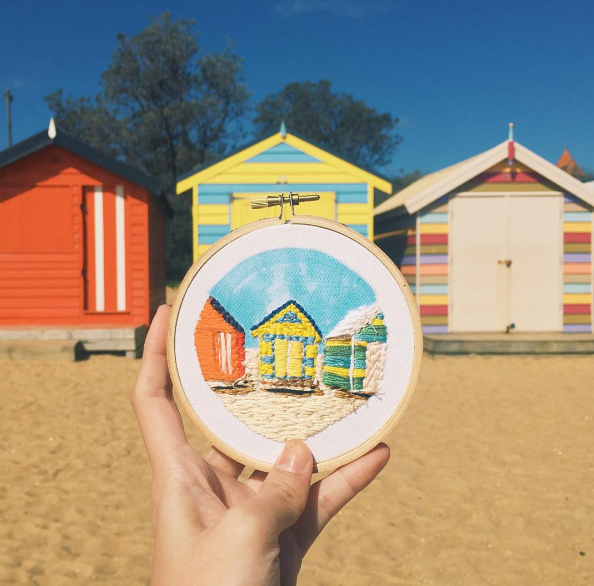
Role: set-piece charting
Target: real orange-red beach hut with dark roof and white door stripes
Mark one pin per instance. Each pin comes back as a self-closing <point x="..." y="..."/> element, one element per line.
<point x="81" y="237"/>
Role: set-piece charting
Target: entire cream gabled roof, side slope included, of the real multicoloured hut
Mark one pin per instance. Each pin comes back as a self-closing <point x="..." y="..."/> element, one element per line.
<point x="431" y="187"/>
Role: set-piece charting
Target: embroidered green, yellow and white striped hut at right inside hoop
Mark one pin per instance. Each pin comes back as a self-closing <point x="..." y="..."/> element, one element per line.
<point x="355" y="351"/>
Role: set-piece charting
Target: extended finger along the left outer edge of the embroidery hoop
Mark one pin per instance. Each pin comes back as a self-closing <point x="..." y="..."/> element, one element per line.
<point x="158" y="417"/>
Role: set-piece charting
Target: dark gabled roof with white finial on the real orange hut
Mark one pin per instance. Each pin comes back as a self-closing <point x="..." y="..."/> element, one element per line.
<point x="46" y="138"/>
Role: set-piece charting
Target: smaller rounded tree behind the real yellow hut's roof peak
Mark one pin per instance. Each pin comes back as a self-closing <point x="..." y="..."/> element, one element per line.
<point x="338" y="122"/>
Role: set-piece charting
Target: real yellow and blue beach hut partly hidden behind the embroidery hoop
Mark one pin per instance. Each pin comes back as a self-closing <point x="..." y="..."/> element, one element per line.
<point x="283" y="162"/>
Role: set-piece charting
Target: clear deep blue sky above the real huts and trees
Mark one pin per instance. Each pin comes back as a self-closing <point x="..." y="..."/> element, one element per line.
<point x="455" y="73"/>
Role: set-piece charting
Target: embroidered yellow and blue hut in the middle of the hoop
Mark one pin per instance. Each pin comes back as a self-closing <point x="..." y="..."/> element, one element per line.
<point x="288" y="348"/>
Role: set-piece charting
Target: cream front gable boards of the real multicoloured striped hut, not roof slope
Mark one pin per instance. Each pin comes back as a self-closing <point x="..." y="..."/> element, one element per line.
<point x="488" y="159"/>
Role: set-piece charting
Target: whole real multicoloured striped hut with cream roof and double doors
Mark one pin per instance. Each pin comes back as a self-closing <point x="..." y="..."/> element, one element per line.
<point x="497" y="243"/>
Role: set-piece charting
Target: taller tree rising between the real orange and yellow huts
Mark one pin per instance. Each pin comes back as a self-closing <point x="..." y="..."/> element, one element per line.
<point x="165" y="107"/>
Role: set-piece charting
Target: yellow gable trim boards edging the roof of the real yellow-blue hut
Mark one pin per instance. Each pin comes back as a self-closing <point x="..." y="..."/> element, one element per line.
<point x="247" y="152"/>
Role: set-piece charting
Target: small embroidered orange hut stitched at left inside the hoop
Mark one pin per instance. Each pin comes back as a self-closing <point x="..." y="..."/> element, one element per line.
<point x="220" y="343"/>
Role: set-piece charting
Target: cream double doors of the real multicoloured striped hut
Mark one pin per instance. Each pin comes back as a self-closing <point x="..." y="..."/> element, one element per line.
<point x="506" y="263"/>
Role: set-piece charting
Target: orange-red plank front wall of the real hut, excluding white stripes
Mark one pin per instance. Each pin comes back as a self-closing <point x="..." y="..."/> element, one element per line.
<point x="41" y="259"/>
